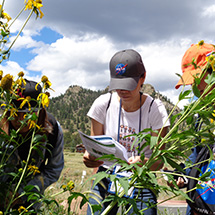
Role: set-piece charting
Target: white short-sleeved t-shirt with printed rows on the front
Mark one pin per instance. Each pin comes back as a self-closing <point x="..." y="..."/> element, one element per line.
<point x="153" y="115"/>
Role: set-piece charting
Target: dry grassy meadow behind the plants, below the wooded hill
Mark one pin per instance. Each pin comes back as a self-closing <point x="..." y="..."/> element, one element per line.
<point x="73" y="170"/>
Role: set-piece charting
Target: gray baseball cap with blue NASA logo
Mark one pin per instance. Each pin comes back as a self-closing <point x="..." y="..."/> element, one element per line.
<point x="126" y="68"/>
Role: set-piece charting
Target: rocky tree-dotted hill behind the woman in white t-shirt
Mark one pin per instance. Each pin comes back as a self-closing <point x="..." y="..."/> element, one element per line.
<point x="71" y="108"/>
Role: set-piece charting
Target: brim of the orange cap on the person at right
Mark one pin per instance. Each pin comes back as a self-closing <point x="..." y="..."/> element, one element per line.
<point x="188" y="77"/>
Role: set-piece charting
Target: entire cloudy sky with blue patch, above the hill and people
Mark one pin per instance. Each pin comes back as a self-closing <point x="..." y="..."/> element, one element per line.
<point x="74" y="41"/>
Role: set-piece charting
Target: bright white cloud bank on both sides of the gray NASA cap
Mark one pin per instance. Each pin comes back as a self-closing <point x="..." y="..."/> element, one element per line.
<point x="85" y="62"/>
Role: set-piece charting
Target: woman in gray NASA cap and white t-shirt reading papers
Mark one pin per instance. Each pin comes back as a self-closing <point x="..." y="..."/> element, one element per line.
<point x="125" y="112"/>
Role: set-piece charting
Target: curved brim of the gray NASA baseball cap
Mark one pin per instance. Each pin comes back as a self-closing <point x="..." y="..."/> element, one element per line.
<point x="123" y="83"/>
